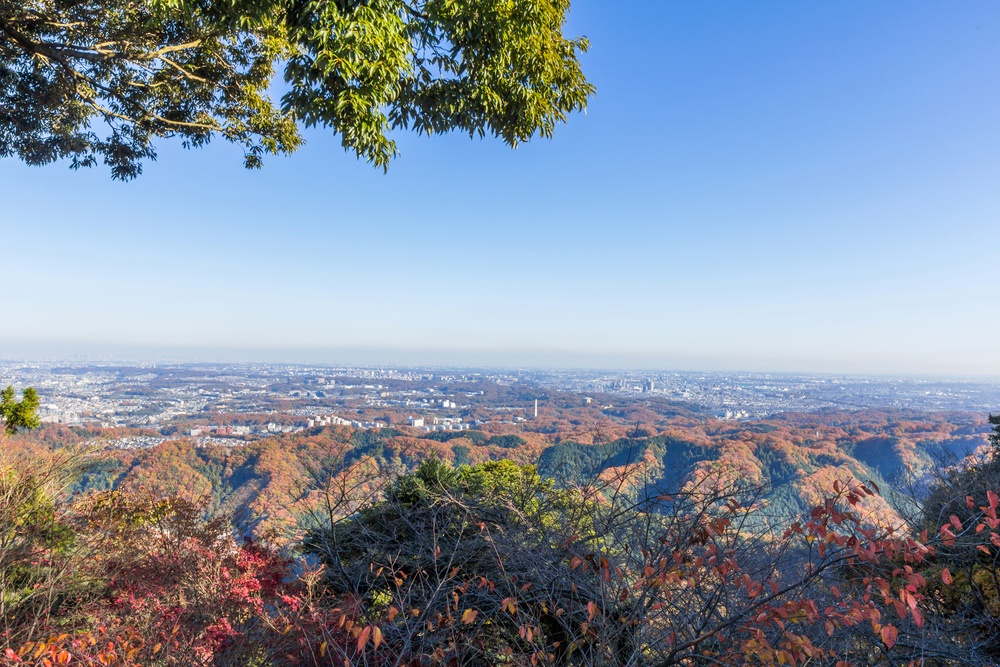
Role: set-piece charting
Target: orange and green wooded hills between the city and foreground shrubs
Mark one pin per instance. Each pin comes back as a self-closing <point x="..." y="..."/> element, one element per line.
<point x="795" y="457"/>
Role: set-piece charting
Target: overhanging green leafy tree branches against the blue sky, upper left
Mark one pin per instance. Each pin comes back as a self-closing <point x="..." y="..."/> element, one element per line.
<point x="89" y="81"/>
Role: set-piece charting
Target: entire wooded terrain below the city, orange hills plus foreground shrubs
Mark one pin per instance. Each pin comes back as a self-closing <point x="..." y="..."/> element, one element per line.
<point x="712" y="543"/>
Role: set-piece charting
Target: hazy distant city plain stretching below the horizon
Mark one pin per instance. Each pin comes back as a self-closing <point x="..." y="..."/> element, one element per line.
<point x="206" y="401"/>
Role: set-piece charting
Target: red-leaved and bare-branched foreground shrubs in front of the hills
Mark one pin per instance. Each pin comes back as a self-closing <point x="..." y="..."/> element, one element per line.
<point x="491" y="564"/>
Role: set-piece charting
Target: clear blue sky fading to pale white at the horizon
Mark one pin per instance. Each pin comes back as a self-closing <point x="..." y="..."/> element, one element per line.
<point x="763" y="186"/>
